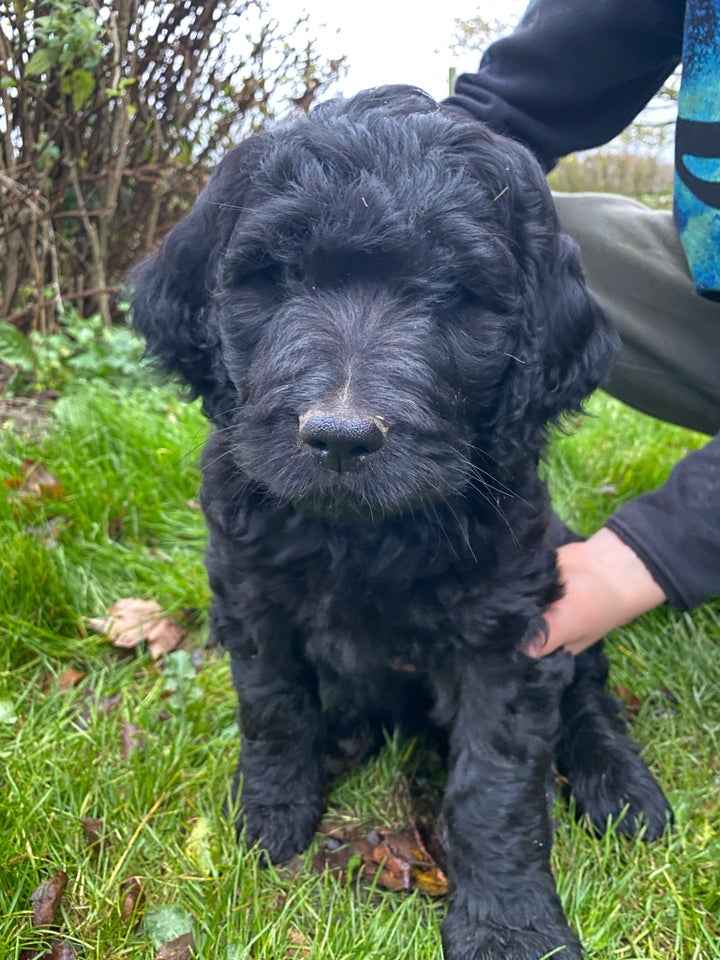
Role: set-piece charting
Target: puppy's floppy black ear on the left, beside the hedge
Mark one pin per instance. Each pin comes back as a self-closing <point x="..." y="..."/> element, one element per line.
<point x="171" y="291"/>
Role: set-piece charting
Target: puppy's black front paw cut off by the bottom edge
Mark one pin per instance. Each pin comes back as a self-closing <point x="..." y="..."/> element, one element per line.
<point x="489" y="942"/>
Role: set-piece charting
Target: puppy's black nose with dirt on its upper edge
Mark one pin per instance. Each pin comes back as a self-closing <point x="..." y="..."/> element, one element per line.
<point x="341" y="441"/>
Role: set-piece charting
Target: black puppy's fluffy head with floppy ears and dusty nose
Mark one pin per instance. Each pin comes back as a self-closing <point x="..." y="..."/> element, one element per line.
<point x="367" y="296"/>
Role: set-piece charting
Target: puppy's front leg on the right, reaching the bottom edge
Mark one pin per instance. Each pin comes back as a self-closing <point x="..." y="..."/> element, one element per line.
<point x="504" y="718"/>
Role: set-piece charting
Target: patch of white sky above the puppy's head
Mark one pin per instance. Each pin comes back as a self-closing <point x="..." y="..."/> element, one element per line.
<point x="394" y="41"/>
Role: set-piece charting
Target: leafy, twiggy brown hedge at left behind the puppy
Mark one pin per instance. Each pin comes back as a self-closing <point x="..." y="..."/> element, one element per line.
<point x="112" y="113"/>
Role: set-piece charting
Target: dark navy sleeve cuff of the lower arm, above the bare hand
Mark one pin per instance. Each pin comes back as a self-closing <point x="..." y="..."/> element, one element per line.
<point x="676" y="530"/>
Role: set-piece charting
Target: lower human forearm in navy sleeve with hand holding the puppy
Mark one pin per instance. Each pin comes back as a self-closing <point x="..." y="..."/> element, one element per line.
<point x="664" y="544"/>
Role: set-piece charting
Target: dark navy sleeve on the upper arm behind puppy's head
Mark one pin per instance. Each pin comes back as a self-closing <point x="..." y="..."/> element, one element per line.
<point x="574" y="73"/>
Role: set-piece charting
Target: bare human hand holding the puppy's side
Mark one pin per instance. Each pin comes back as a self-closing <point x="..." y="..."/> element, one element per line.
<point x="606" y="585"/>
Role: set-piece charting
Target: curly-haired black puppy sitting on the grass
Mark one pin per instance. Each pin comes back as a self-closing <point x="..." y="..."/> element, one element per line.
<point x="382" y="319"/>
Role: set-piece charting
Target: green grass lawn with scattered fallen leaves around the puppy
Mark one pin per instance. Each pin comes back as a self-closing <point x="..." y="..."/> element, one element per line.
<point x="115" y="516"/>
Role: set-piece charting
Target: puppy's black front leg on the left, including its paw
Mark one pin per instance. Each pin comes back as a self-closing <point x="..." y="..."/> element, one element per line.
<point x="280" y="770"/>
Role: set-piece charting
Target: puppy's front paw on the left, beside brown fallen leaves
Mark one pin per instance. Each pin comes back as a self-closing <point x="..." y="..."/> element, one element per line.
<point x="280" y="830"/>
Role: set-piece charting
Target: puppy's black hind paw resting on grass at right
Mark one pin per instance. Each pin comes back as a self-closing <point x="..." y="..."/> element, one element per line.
<point x="620" y="790"/>
